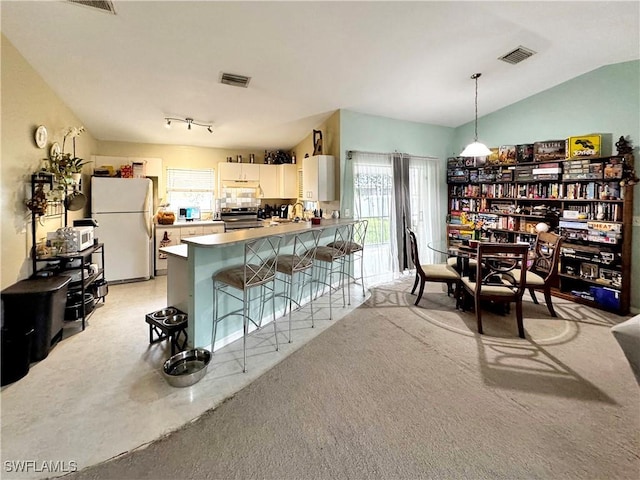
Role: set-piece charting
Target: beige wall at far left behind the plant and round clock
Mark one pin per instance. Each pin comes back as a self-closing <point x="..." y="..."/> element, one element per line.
<point x="27" y="101"/>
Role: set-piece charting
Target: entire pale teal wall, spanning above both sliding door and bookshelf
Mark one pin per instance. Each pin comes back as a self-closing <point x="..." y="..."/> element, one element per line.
<point x="606" y="100"/>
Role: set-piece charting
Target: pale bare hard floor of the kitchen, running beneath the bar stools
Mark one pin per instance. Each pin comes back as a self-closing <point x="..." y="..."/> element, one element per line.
<point x="101" y="393"/>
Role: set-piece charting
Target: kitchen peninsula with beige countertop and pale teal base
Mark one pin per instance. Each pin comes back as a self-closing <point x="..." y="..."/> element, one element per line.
<point x="192" y="264"/>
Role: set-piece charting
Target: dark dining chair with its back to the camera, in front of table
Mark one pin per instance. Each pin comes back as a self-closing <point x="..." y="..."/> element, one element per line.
<point x="498" y="278"/>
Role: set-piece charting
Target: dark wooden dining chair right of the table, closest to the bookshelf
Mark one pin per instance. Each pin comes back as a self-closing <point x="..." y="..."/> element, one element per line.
<point x="542" y="272"/>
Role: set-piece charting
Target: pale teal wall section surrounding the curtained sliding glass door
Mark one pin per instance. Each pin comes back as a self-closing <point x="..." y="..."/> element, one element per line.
<point x="371" y="133"/>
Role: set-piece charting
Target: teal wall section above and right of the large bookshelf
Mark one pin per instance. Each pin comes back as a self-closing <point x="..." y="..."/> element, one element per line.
<point x="606" y="100"/>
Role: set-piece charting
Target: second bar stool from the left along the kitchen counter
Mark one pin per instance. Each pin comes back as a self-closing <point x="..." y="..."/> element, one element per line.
<point x="299" y="262"/>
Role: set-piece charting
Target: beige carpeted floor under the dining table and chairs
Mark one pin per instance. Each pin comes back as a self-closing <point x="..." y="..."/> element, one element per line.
<point x="395" y="391"/>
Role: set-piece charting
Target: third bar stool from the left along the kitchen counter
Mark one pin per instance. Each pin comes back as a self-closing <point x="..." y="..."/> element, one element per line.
<point x="326" y="258"/>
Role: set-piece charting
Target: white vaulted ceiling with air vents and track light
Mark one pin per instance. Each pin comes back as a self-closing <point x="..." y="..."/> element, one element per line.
<point x="123" y="74"/>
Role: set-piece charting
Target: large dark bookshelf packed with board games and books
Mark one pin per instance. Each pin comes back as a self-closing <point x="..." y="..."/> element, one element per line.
<point x="589" y="201"/>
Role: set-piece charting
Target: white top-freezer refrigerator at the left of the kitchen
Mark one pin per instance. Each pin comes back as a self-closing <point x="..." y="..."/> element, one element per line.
<point x="122" y="207"/>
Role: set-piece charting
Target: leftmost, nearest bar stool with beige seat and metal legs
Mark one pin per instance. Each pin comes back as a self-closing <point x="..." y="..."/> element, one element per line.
<point x="257" y="270"/>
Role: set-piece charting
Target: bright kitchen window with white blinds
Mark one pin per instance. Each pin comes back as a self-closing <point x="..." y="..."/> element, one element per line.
<point x="190" y="188"/>
